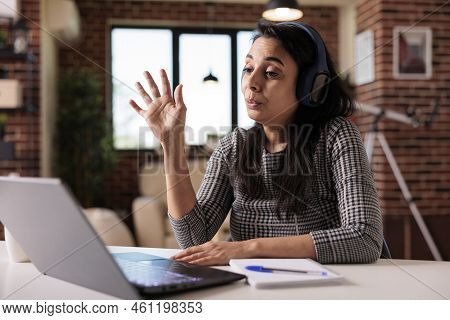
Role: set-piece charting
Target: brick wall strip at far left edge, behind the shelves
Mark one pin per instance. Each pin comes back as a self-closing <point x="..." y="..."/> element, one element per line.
<point x="22" y="126"/>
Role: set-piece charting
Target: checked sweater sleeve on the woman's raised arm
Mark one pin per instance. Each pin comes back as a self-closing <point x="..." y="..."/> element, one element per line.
<point x="213" y="201"/>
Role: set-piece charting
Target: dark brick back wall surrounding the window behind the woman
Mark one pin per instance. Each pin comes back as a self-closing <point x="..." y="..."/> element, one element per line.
<point x="122" y="186"/>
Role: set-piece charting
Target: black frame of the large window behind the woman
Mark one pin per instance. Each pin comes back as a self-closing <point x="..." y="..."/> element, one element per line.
<point x="176" y="32"/>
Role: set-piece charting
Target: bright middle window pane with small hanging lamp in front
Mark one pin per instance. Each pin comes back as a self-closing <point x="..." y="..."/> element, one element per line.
<point x="209" y="105"/>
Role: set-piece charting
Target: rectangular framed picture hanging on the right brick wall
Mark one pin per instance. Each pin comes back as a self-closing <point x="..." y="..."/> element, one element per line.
<point x="412" y="54"/>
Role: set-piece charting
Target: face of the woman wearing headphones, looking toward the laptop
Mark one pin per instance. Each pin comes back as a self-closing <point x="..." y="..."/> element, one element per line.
<point x="269" y="83"/>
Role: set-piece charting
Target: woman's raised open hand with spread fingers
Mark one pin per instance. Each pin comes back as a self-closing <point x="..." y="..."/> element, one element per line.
<point x="164" y="115"/>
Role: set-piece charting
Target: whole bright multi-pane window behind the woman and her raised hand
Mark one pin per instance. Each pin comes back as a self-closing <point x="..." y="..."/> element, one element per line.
<point x="188" y="55"/>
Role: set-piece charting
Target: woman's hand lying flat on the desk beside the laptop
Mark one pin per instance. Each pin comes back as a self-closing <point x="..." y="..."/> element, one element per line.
<point x="214" y="253"/>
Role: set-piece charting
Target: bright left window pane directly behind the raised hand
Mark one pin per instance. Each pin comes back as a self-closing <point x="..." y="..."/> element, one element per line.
<point x="132" y="52"/>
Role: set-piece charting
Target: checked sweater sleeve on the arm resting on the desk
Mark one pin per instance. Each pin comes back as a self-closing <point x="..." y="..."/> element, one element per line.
<point x="359" y="238"/>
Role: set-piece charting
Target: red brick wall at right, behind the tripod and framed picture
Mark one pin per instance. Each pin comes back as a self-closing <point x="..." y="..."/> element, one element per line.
<point x="422" y="154"/>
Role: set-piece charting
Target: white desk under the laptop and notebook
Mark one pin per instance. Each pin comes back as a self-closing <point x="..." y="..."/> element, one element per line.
<point x="386" y="279"/>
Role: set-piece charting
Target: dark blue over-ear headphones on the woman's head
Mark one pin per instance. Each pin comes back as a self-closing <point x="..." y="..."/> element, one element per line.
<point x="312" y="88"/>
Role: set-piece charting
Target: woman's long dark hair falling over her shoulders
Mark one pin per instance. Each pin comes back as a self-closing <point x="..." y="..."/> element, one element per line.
<point x="294" y="179"/>
